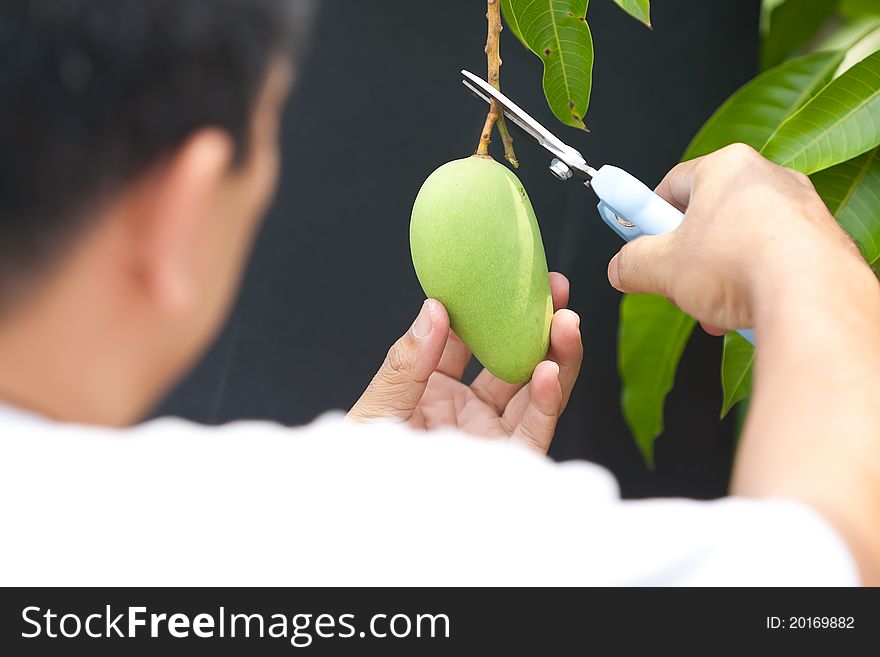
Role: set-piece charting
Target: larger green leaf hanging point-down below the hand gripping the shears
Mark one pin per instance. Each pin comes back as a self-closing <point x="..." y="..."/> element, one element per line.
<point x="653" y="334"/>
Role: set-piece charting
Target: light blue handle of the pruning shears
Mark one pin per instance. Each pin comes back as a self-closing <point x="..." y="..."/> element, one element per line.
<point x="631" y="210"/>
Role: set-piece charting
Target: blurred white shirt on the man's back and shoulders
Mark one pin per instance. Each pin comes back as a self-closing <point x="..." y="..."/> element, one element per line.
<point x="252" y="503"/>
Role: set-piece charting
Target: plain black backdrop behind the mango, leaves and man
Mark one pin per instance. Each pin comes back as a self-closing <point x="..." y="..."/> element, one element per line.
<point x="378" y="107"/>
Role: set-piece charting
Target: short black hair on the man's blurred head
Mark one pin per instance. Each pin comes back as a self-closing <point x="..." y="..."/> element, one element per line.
<point x="95" y="92"/>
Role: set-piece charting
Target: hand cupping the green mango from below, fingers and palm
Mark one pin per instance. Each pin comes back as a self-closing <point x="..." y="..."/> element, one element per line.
<point x="420" y="381"/>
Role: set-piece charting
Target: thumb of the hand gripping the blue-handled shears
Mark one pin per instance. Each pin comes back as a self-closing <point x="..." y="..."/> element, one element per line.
<point x="642" y="266"/>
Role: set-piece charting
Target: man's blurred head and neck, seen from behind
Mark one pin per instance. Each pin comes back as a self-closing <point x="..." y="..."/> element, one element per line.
<point x="138" y="150"/>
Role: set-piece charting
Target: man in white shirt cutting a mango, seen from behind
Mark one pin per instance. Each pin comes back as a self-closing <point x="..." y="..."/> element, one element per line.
<point x="139" y="151"/>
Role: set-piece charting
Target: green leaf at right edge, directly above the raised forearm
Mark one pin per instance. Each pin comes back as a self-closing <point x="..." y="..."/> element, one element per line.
<point x="852" y="193"/>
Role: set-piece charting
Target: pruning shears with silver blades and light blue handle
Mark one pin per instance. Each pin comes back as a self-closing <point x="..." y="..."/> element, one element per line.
<point x="626" y="204"/>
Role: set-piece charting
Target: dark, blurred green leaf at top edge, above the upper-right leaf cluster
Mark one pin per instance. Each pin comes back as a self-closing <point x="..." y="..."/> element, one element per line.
<point x="789" y="26"/>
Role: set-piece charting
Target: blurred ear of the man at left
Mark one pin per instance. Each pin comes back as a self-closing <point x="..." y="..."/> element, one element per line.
<point x="174" y="216"/>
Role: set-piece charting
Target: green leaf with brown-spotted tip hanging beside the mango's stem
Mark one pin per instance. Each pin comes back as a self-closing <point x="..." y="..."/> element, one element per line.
<point x="557" y="32"/>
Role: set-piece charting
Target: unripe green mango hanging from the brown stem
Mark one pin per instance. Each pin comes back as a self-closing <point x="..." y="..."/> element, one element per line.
<point x="477" y="248"/>
